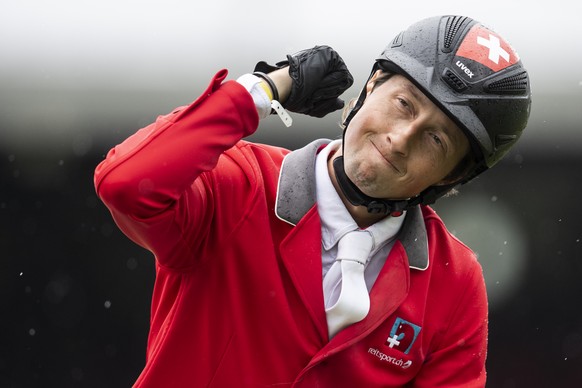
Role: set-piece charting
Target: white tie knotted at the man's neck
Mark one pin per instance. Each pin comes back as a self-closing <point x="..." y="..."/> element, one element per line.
<point x="353" y="302"/>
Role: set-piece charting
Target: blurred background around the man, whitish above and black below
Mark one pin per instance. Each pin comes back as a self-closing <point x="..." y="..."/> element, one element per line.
<point x="75" y="293"/>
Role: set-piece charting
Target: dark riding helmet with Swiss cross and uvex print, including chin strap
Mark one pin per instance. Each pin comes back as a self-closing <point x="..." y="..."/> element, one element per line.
<point x="473" y="75"/>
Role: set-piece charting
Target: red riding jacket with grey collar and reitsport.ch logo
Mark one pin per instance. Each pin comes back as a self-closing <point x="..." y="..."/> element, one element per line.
<point x="238" y="298"/>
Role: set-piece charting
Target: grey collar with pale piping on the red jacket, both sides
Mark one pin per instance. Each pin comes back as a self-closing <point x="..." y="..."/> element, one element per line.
<point x="296" y="195"/>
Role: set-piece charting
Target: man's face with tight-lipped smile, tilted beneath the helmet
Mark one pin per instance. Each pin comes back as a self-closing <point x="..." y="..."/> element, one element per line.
<point x="399" y="143"/>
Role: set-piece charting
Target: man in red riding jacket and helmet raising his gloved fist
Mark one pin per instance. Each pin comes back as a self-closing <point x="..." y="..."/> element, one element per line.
<point x="322" y="267"/>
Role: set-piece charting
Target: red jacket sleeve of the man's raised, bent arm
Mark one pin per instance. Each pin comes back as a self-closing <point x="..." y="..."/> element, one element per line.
<point x="153" y="181"/>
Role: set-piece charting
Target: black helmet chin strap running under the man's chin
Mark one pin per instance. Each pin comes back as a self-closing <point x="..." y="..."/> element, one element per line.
<point x="358" y="198"/>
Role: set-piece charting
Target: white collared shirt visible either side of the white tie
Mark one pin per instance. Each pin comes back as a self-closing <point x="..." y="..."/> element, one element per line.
<point x="337" y="221"/>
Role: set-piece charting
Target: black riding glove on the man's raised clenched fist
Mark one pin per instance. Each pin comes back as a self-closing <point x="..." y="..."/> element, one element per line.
<point x="319" y="77"/>
